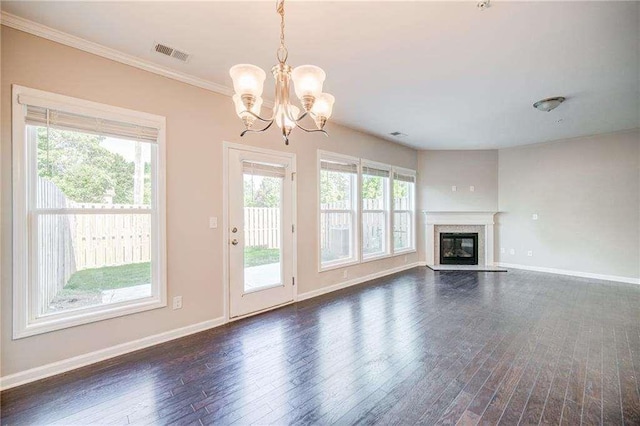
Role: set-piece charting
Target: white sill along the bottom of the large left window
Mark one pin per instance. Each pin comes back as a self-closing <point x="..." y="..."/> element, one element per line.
<point x="72" y="319"/>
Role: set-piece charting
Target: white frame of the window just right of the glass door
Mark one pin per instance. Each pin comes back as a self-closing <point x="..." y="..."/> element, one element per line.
<point x="355" y="217"/>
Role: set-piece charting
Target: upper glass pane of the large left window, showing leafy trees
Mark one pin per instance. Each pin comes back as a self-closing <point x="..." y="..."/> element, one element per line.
<point x="82" y="170"/>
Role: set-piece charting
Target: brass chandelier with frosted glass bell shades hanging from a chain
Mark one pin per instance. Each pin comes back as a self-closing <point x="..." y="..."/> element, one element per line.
<point x="248" y="81"/>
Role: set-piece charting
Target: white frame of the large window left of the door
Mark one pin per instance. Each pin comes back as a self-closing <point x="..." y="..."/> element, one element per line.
<point x="25" y="320"/>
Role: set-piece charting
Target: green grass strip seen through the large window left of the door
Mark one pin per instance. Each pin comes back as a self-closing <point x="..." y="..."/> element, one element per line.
<point x="110" y="277"/>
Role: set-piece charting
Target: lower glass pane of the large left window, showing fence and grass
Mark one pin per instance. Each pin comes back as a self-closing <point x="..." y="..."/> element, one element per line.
<point x="89" y="260"/>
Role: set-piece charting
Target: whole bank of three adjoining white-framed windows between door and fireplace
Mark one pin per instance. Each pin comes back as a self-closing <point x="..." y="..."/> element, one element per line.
<point x="386" y="210"/>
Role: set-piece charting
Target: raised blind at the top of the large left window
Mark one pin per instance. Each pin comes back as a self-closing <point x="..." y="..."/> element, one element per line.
<point x="40" y="116"/>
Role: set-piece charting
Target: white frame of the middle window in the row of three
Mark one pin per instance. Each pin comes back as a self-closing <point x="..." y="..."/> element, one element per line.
<point x="388" y="249"/>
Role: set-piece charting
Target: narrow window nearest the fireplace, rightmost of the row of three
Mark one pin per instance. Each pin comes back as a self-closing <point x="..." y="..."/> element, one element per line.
<point x="403" y="211"/>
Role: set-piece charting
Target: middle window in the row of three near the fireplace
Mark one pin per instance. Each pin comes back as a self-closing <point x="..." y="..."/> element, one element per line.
<point x="375" y="210"/>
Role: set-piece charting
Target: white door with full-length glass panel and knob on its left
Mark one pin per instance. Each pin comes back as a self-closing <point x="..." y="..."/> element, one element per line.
<point x="261" y="238"/>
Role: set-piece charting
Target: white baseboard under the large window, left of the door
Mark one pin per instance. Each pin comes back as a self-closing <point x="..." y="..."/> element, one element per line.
<point x="69" y="364"/>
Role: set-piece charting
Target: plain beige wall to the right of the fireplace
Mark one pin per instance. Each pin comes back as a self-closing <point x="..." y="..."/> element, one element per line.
<point x="586" y="192"/>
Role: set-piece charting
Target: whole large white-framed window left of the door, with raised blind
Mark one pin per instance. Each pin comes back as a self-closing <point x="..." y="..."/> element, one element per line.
<point x="88" y="212"/>
